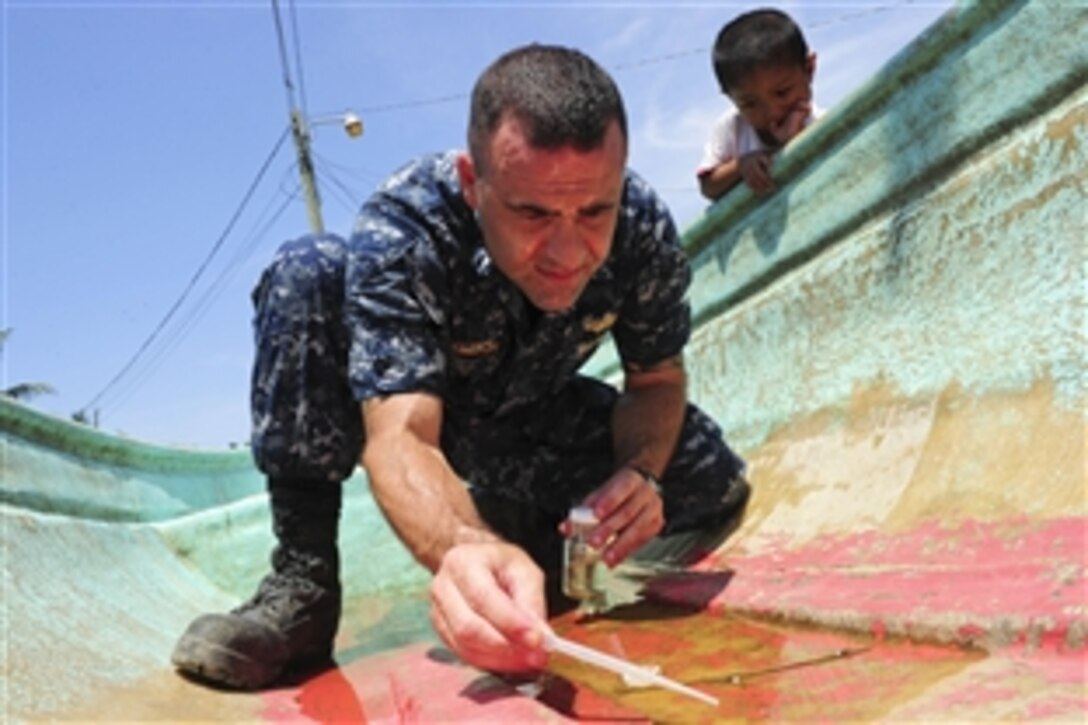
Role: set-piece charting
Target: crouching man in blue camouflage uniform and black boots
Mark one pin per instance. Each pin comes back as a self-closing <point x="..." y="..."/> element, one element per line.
<point x="474" y="288"/>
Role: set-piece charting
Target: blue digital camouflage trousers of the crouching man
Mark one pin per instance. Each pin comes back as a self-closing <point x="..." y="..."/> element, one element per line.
<point x="536" y="462"/>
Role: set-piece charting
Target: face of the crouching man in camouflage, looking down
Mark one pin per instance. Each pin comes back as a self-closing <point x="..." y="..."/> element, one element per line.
<point x="548" y="216"/>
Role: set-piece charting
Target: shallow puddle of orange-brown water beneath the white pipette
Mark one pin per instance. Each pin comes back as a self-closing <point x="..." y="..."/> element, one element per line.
<point x="761" y="672"/>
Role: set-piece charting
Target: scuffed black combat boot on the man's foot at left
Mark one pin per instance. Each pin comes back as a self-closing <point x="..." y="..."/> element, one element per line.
<point x="291" y="622"/>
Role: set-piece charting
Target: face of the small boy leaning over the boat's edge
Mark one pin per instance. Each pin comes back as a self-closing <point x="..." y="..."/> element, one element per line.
<point x="769" y="96"/>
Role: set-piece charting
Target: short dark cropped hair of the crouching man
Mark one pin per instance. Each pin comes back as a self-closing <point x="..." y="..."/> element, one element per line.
<point x="561" y="97"/>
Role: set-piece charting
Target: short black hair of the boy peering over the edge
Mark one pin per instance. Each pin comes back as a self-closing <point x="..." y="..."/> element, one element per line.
<point x="757" y="40"/>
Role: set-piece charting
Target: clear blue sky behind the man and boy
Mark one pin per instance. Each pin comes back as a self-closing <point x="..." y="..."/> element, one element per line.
<point x="133" y="130"/>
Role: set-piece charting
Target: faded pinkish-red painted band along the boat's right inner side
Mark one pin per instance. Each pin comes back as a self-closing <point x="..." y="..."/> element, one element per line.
<point x="1005" y="584"/>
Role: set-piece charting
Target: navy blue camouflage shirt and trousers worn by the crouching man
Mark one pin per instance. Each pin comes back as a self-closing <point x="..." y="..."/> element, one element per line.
<point x="413" y="303"/>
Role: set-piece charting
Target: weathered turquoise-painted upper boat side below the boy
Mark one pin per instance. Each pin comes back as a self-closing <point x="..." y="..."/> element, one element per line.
<point x="930" y="230"/>
